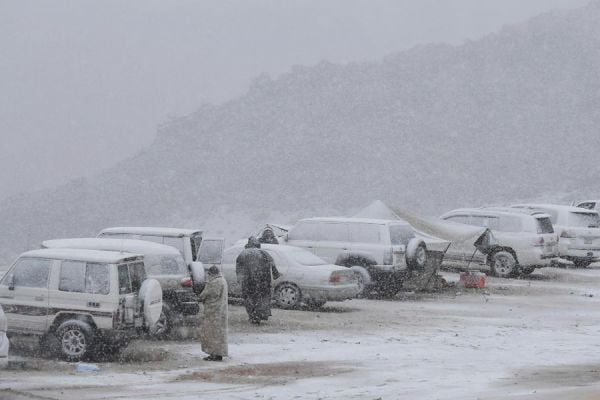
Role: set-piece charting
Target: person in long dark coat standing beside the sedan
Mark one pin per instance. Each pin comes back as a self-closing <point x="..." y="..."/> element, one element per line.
<point x="253" y="268"/>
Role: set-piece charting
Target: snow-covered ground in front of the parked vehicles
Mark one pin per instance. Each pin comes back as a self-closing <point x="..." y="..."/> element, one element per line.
<point x="525" y="339"/>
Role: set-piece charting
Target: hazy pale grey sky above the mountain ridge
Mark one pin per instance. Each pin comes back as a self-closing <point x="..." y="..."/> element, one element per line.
<point x="84" y="84"/>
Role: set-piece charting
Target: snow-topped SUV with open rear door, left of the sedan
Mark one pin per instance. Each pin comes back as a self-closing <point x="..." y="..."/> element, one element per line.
<point x="193" y="246"/>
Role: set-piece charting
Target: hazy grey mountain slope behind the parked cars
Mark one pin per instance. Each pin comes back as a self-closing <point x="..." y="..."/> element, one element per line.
<point x="514" y="115"/>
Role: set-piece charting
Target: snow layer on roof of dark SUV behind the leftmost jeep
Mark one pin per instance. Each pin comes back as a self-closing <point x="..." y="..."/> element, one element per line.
<point x="111" y="244"/>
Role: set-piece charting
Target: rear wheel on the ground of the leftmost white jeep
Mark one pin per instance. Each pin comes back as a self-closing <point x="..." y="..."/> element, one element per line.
<point x="75" y="340"/>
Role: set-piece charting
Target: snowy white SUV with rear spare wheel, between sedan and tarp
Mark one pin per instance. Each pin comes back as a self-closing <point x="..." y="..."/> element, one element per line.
<point x="381" y="252"/>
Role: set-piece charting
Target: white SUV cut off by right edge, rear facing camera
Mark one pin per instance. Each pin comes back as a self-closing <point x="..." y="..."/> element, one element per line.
<point x="578" y="230"/>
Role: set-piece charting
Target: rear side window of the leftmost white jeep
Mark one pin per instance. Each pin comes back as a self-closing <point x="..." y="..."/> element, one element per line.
<point x="79" y="276"/>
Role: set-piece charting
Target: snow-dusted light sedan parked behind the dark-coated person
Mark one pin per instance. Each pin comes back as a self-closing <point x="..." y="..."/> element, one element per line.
<point x="305" y="278"/>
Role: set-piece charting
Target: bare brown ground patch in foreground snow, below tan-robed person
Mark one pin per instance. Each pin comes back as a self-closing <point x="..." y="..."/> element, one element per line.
<point x="268" y="373"/>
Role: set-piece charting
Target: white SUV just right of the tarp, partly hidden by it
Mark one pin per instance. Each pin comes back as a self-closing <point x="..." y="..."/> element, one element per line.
<point x="525" y="240"/>
